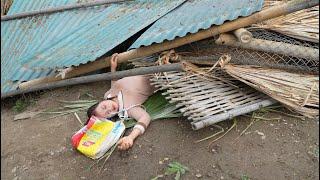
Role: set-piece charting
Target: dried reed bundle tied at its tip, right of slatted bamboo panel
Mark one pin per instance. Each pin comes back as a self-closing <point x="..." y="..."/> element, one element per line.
<point x="299" y="92"/>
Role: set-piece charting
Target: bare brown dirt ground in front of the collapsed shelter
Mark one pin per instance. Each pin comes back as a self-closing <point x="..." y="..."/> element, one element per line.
<point x="38" y="149"/>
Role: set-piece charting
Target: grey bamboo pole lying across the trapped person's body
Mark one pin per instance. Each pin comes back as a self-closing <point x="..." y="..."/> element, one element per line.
<point x="99" y="77"/>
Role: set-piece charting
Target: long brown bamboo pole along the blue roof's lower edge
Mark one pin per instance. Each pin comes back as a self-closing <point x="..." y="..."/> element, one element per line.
<point x="275" y="11"/>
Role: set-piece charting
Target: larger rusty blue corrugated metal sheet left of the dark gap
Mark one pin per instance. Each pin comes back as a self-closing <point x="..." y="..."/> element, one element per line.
<point x="32" y="47"/>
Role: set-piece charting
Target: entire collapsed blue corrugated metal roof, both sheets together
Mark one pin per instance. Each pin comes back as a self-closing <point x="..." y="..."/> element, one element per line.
<point x="40" y="44"/>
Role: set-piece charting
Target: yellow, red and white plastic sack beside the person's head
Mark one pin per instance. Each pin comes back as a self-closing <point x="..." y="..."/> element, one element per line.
<point x="97" y="137"/>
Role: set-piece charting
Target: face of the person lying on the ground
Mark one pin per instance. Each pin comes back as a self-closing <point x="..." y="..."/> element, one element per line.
<point x="106" y="109"/>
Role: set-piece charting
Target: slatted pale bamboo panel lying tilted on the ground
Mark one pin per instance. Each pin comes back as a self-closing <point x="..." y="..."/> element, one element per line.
<point x="206" y="97"/>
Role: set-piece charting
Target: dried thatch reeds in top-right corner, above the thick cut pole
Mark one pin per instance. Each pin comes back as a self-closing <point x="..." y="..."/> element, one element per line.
<point x="303" y="24"/>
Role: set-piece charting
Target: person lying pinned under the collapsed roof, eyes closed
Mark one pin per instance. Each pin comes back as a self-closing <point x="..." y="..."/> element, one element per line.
<point x="135" y="91"/>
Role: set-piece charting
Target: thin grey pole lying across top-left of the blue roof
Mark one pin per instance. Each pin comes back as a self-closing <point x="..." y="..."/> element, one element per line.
<point x="58" y="9"/>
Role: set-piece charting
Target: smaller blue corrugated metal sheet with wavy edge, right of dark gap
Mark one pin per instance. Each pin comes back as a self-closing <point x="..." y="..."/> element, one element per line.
<point x="195" y="15"/>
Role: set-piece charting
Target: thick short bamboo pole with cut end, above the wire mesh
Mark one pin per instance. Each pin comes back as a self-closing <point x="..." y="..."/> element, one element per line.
<point x="270" y="46"/>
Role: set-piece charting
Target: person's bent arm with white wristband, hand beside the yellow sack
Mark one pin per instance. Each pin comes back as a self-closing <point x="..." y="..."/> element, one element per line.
<point x="143" y="121"/>
